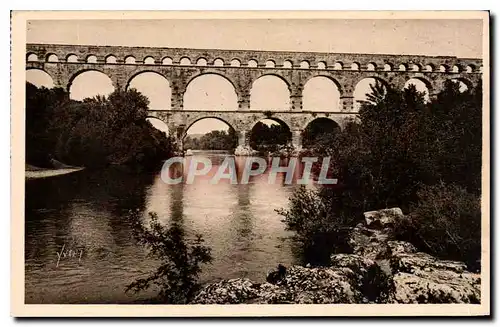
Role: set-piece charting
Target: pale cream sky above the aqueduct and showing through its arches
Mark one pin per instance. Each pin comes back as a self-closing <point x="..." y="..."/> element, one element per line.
<point x="461" y="38"/>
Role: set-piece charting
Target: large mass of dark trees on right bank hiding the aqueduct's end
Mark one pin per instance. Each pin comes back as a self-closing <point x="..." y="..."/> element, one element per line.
<point x="396" y="149"/>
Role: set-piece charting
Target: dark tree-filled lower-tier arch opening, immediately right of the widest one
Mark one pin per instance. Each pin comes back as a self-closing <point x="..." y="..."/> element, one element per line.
<point x="270" y="135"/>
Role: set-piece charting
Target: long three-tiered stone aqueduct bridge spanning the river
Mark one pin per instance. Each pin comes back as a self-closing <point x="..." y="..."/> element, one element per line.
<point x="242" y="67"/>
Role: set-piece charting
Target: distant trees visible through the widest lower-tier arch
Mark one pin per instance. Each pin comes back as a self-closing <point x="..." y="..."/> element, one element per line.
<point x="214" y="140"/>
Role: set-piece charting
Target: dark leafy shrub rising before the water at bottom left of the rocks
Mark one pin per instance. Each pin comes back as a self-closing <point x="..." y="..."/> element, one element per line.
<point x="177" y="275"/>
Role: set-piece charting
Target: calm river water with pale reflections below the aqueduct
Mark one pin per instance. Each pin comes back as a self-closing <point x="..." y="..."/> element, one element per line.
<point x="85" y="215"/>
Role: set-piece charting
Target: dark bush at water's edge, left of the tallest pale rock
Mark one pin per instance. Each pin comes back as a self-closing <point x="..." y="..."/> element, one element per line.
<point x="321" y="228"/>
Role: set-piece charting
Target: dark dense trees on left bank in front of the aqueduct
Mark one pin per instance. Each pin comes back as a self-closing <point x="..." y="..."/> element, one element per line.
<point x="95" y="132"/>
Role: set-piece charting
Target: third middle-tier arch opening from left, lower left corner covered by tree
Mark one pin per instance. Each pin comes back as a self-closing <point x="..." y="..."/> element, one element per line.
<point x="155" y="87"/>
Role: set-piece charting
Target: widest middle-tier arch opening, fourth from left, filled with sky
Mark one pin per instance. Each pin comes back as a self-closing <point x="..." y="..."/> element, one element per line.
<point x="210" y="91"/>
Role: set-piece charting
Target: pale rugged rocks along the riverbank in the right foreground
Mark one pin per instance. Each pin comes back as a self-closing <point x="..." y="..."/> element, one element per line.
<point x="380" y="270"/>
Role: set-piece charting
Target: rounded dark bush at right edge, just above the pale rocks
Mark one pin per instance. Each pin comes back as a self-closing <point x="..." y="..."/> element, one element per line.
<point x="445" y="222"/>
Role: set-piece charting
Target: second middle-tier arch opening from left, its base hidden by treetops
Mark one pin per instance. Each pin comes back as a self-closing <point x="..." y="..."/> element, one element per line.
<point x="89" y="83"/>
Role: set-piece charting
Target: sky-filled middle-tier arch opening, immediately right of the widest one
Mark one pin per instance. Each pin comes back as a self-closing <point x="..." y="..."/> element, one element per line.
<point x="270" y="92"/>
